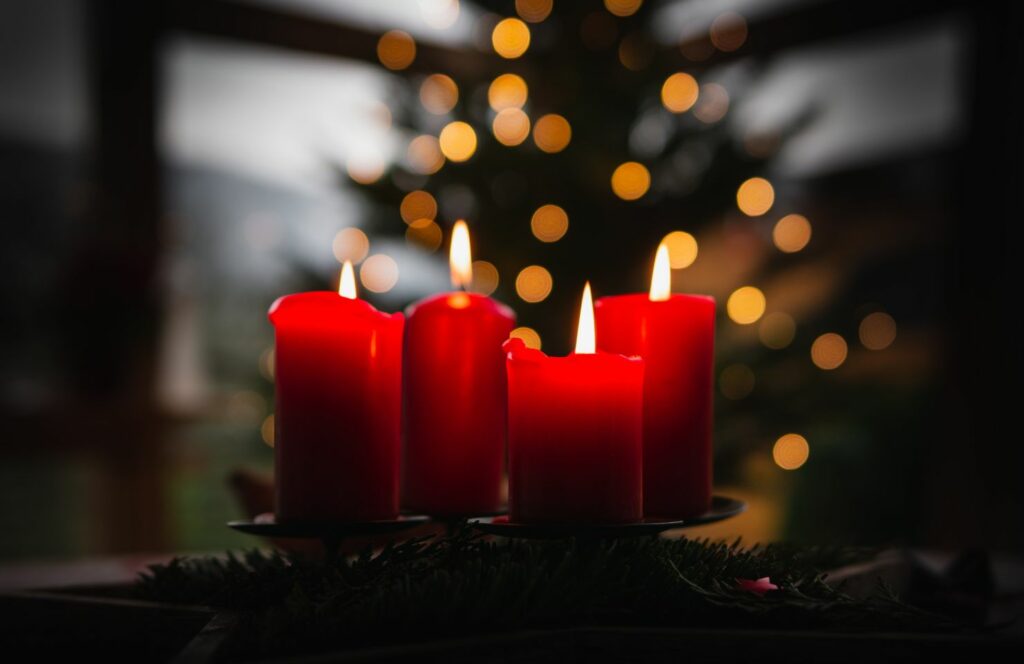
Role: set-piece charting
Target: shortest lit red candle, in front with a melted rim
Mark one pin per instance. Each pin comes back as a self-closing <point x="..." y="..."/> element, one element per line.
<point x="575" y="433"/>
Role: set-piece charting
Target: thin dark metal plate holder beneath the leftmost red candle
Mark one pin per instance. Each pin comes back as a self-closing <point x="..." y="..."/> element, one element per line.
<point x="332" y="533"/>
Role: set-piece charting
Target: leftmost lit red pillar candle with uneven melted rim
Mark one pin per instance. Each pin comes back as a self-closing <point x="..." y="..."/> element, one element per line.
<point x="338" y="376"/>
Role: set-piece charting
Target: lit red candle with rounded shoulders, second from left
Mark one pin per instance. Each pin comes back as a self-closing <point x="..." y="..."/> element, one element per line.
<point x="455" y="397"/>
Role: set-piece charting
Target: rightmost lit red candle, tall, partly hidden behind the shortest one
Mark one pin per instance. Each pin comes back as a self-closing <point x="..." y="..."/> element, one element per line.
<point x="675" y="336"/>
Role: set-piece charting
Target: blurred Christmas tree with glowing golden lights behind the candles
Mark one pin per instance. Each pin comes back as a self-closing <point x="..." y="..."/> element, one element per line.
<point x="574" y="143"/>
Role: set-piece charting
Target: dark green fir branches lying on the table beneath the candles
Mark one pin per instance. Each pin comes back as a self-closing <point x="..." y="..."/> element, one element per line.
<point x="431" y="588"/>
